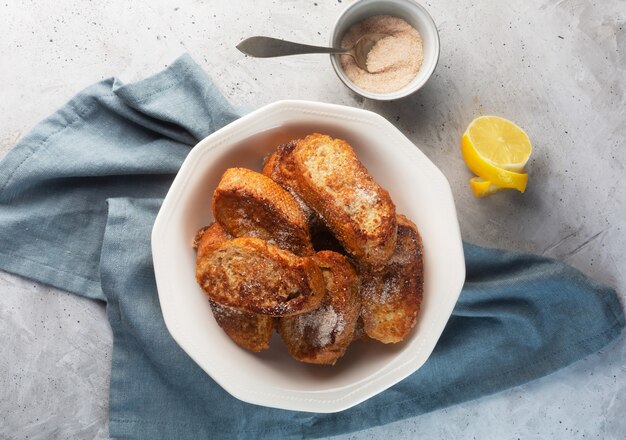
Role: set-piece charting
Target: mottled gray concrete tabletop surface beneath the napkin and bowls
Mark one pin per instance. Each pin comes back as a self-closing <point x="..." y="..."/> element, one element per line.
<point x="557" y="68"/>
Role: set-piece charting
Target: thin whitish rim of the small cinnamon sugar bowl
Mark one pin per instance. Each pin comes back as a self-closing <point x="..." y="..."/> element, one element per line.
<point x="410" y="88"/>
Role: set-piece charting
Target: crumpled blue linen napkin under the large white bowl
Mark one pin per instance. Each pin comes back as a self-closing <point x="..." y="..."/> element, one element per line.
<point x="78" y="197"/>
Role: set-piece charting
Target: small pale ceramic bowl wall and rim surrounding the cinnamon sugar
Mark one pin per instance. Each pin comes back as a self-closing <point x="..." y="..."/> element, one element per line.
<point x="408" y="10"/>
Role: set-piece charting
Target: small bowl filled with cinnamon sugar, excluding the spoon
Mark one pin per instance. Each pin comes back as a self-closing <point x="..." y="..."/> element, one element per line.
<point x="400" y="64"/>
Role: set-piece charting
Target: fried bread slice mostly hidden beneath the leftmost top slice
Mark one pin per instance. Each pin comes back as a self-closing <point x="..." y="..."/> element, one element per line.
<point x="248" y="330"/>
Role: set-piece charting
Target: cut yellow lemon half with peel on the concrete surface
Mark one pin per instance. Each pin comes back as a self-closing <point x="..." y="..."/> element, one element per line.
<point x="497" y="150"/>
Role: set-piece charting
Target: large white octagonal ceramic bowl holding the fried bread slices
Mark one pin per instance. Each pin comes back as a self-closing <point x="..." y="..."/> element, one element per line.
<point x="273" y="378"/>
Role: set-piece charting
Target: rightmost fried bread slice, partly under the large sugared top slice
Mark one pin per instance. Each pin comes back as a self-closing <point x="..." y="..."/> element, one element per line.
<point x="391" y="296"/>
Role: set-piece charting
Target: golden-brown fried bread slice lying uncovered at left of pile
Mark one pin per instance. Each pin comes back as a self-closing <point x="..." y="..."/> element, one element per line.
<point x="252" y="275"/>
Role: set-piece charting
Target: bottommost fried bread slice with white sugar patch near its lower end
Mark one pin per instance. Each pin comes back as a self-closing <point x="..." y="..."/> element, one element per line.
<point x="323" y="335"/>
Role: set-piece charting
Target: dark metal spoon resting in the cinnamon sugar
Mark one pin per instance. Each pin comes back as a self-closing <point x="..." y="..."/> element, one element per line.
<point x="267" y="47"/>
